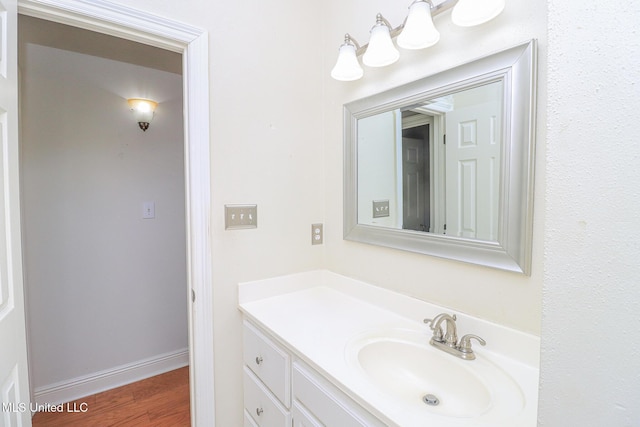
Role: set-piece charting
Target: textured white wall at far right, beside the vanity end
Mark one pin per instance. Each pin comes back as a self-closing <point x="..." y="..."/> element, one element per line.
<point x="591" y="322"/>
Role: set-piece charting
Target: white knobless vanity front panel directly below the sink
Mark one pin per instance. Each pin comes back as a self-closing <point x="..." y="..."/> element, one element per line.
<point x="326" y="402"/>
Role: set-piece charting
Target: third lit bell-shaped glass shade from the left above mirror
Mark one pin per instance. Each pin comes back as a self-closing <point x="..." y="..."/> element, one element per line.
<point x="419" y="31"/>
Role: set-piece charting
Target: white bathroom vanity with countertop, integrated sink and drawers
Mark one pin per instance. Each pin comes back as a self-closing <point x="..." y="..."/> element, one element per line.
<point x="322" y="349"/>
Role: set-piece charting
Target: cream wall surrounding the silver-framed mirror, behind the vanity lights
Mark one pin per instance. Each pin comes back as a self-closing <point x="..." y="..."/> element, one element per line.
<point x="507" y="298"/>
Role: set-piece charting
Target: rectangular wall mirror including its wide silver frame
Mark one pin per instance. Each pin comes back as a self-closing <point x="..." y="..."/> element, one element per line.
<point x="444" y="165"/>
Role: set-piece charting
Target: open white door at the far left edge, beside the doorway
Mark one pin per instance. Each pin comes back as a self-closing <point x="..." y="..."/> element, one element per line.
<point x="14" y="384"/>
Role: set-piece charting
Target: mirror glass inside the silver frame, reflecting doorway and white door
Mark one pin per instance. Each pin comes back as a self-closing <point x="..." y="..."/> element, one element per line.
<point x="435" y="166"/>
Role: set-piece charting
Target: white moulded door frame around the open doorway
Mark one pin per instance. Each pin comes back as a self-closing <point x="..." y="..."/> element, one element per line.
<point x="136" y="25"/>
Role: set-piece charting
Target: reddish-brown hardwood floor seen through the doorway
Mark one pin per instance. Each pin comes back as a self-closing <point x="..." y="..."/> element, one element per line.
<point x="160" y="401"/>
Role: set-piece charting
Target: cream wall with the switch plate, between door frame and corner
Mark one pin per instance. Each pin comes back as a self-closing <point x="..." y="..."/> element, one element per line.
<point x="267" y="148"/>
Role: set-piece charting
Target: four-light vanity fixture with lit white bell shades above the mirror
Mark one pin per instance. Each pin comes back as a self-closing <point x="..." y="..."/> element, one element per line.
<point x="417" y="32"/>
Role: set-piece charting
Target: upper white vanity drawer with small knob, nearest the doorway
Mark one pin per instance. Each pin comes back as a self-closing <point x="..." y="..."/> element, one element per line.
<point x="268" y="361"/>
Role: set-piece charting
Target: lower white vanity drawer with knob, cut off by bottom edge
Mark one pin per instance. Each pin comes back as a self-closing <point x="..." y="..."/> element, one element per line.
<point x="259" y="403"/>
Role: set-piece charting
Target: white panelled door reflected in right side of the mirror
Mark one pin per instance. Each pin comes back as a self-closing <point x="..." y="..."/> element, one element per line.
<point x="473" y="153"/>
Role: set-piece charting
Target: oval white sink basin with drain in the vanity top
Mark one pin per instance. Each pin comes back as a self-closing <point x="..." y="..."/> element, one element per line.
<point x="404" y="367"/>
